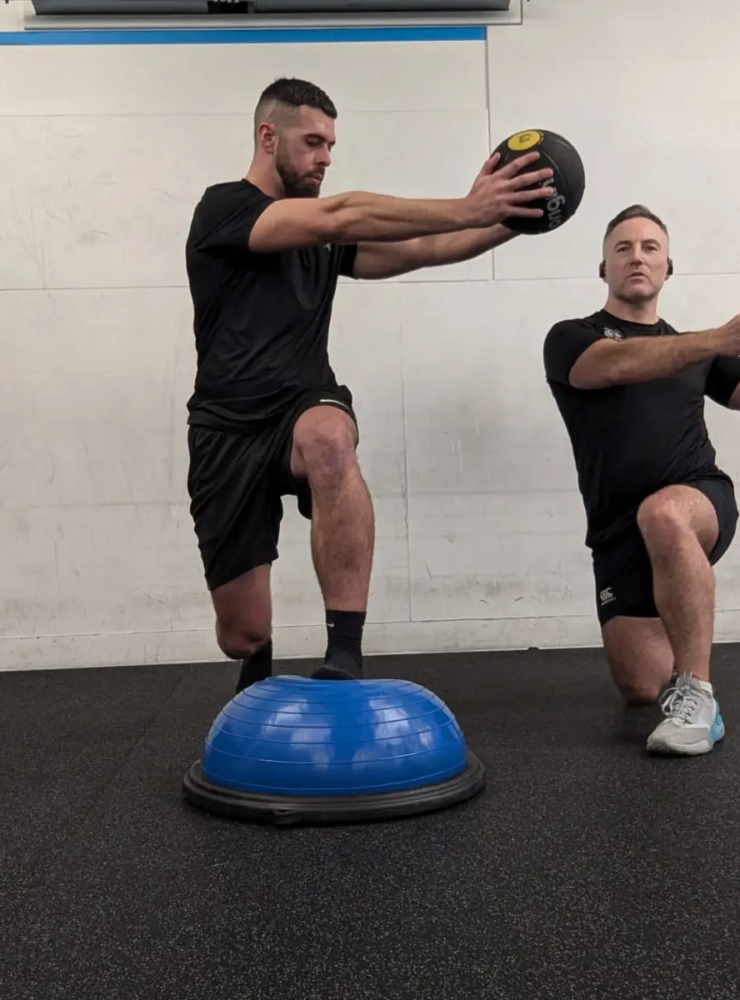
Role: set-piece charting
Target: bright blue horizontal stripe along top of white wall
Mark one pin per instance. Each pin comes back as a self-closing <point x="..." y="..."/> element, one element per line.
<point x="244" y="36"/>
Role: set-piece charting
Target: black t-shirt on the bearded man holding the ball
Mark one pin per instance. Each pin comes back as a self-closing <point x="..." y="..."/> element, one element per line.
<point x="261" y="321"/>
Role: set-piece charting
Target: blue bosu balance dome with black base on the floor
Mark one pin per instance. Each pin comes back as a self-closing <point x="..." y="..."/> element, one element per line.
<point x="290" y="750"/>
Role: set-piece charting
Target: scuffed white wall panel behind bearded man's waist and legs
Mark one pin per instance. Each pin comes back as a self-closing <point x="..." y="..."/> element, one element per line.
<point x="95" y="522"/>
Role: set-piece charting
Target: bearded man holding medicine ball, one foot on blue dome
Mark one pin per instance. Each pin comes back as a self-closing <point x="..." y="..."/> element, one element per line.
<point x="267" y="418"/>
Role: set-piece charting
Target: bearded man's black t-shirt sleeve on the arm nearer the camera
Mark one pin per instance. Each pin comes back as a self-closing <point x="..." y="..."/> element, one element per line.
<point x="224" y="219"/>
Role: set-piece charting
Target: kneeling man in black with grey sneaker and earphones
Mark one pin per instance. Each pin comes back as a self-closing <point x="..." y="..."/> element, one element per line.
<point x="660" y="513"/>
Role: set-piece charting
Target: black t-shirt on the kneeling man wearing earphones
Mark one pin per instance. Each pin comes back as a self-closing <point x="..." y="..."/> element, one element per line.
<point x="630" y="440"/>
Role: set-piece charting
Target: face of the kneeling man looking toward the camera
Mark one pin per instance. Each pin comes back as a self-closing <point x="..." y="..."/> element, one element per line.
<point x="636" y="256"/>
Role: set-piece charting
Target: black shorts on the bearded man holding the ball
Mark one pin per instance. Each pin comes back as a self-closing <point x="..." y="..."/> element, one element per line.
<point x="236" y="482"/>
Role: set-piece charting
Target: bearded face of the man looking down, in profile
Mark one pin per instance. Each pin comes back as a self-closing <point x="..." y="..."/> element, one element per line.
<point x="303" y="152"/>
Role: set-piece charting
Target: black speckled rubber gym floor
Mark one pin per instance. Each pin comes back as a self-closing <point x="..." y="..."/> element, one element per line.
<point x="585" y="870"/>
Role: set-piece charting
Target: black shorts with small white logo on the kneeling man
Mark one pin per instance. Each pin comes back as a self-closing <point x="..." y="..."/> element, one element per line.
<point x="622" y="570"/>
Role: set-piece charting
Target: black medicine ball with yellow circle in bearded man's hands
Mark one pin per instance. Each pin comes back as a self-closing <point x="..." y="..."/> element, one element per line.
<point x="569" y="178"/>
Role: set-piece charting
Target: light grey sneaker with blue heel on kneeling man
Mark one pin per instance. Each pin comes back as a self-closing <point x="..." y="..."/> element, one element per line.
<point x="693" y="723"/>
